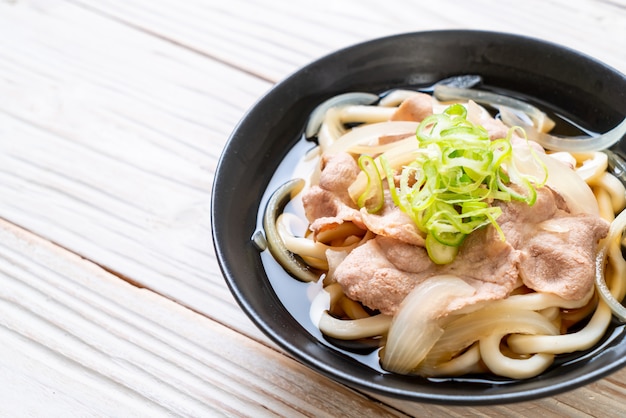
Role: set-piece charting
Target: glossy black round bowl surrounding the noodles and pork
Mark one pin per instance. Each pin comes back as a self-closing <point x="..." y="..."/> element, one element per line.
<point x="572" y="84"/>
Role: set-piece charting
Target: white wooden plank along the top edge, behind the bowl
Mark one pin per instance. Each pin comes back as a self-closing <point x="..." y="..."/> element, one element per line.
<point x="272" y="40"/>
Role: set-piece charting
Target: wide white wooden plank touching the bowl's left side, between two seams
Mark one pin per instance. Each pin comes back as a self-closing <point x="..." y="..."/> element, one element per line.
<point x="108" y="142"/>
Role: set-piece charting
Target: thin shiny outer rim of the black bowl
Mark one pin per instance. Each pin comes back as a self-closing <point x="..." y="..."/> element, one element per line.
<point x="286" y="341"/>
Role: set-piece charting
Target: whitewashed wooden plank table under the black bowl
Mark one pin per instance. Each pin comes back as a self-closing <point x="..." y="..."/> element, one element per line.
<point x="113" y="115"/>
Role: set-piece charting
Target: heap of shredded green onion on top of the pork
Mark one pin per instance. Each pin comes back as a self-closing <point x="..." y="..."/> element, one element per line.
<point x="448" y="189"/>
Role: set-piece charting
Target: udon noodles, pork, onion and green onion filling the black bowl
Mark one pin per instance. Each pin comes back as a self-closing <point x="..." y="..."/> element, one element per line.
<point x="453" y="242"/>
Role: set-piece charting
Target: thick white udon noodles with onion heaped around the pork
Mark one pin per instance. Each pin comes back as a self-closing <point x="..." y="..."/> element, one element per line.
<point x="517" y="336"/>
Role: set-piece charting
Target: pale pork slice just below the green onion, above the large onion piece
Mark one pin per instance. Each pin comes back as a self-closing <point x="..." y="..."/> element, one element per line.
<point x="384" y="270"/>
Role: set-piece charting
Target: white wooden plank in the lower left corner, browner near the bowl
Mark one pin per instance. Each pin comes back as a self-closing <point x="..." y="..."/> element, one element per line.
<point x="76" y="338"/>
